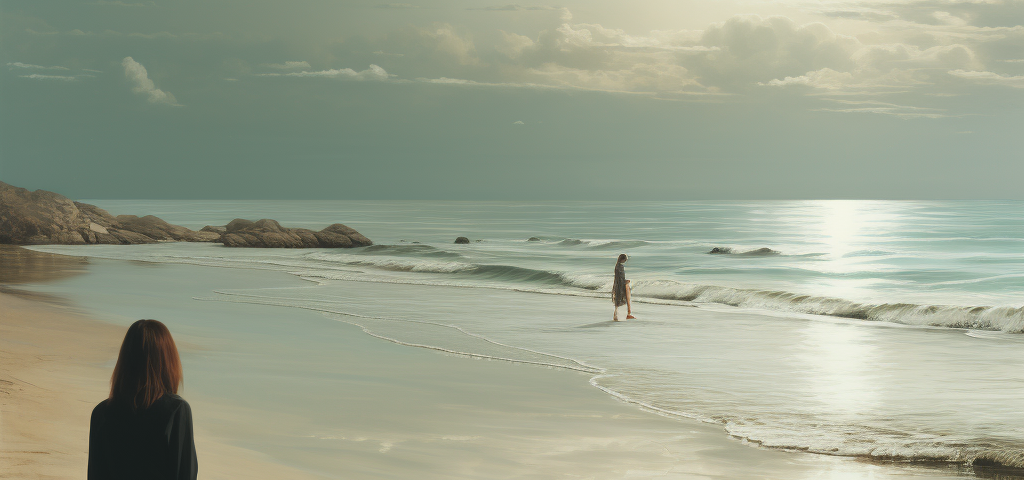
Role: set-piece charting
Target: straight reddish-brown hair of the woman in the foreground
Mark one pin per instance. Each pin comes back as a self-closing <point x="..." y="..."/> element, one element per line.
<point x="148" y="367"/>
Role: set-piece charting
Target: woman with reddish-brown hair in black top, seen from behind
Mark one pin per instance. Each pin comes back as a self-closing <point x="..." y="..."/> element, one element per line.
<point x="144" y="430"/>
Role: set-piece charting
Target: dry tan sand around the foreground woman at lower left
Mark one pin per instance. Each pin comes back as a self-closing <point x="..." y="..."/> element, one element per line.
<point x="55" y="368"/>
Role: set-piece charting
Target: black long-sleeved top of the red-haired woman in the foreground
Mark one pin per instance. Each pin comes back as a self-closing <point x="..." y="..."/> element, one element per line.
<point x="152" y="444"/>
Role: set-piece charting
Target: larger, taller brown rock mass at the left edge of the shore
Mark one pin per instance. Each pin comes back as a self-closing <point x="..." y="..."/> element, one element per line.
<point x="47" y="219"/>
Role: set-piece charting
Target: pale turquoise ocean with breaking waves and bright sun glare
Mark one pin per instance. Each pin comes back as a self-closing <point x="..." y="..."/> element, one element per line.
<point x="870" y="329"/>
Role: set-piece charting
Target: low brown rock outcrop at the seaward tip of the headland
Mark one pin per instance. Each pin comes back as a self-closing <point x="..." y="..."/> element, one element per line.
<point x="270" y="234"/>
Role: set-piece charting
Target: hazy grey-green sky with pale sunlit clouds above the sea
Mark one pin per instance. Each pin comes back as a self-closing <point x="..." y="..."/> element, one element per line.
<point x="477" y="100"/>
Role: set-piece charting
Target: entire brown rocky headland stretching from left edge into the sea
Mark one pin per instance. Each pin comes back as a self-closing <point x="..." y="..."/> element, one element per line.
<point x="42" y="217"/>
